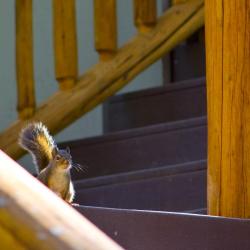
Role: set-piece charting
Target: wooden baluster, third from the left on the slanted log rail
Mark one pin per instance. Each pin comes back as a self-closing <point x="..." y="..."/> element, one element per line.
<point x="105" y="28"/>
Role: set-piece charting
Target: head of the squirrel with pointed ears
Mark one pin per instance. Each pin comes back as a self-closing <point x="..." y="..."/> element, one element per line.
<point x="62" y="158"/>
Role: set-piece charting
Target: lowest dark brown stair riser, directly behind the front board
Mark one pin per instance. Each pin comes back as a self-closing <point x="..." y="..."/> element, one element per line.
<point x="182" y="192"/>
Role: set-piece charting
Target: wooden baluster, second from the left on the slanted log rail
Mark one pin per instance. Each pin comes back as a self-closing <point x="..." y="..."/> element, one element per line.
<point x="65" y="43"/>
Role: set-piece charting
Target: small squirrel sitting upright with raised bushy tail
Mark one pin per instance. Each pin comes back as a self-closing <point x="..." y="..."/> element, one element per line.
<point x="52" y="164"/>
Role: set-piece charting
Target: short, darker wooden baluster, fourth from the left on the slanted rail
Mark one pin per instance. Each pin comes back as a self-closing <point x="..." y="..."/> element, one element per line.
<point x="145" y="14"/>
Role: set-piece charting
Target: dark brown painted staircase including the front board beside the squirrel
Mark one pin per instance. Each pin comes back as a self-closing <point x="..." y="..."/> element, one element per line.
<point x="145" y="186"/>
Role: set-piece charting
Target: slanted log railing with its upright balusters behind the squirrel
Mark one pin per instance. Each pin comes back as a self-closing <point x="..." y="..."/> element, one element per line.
<point x="117" y="66"/>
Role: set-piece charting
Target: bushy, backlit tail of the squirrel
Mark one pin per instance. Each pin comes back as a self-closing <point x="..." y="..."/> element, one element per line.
<point x="36" y="139"/>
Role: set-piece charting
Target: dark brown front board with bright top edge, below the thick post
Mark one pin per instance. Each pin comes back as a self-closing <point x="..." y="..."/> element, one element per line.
<point x="147" y="230"/>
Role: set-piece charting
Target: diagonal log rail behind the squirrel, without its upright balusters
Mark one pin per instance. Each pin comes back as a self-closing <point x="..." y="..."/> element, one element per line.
<point x="104" y="79"/>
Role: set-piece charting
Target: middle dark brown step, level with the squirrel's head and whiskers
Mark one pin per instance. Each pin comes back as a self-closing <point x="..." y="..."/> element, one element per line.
<point x="143" y="148"/>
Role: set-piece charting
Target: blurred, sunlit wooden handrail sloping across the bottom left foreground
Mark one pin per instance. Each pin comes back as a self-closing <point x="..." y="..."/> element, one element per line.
<point x="33" y="217"/>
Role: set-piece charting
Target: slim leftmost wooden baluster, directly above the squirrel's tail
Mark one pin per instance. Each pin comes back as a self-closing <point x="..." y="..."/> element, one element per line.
<point x="24" y="59"/>
